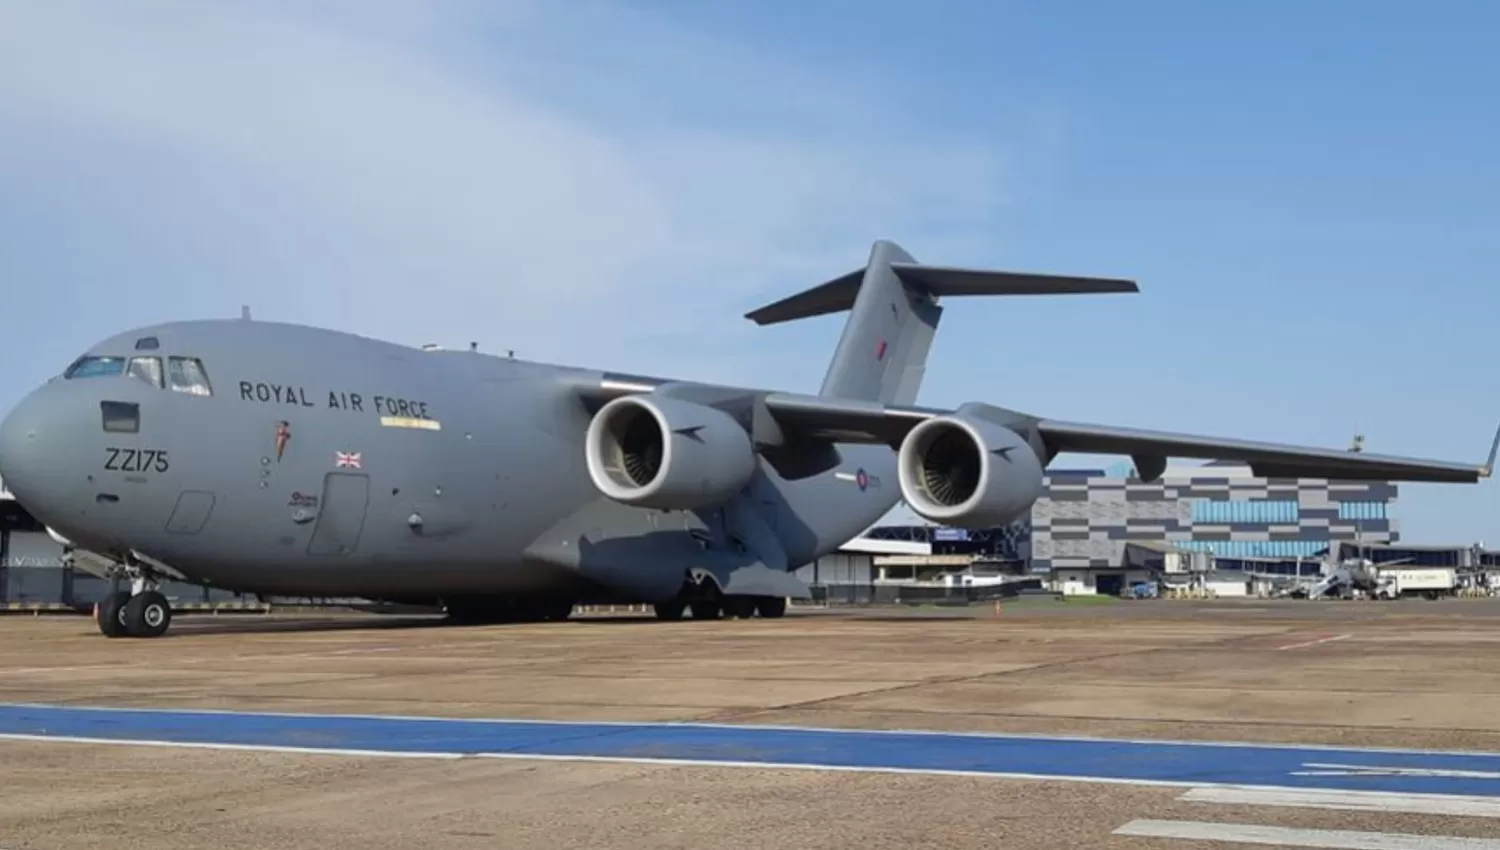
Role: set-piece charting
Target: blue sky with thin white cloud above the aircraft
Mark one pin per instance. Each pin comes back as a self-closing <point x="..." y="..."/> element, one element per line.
<point x="1307" y="194"/>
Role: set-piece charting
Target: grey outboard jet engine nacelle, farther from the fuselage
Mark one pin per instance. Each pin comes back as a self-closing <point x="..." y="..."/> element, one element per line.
<point x="968" y="473"/>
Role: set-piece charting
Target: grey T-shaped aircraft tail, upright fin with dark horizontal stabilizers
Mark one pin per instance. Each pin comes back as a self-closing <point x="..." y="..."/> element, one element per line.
<point x="893" y="305"/>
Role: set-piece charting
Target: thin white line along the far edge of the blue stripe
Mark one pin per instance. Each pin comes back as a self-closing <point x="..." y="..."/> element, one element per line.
<point x="770" y="728"/>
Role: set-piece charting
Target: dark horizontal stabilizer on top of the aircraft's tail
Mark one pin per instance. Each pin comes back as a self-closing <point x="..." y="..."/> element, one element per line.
<point x="934" y="281"/>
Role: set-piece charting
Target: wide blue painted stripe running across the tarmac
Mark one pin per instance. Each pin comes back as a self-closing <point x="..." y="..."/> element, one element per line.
<point x="1142" y="762"/>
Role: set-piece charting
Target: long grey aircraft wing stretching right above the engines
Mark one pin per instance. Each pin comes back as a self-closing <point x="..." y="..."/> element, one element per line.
<point x="871" y="422"/>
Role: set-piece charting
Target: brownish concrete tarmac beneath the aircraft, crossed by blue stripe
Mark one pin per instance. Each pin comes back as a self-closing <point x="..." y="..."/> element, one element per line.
<point x="1138" y="725"/>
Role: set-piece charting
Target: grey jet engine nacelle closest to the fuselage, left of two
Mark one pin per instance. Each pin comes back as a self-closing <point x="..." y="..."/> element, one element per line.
<point x="668" y="453"/>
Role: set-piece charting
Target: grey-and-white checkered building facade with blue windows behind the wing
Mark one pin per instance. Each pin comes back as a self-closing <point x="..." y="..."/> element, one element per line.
<point x="1087" y="518"/>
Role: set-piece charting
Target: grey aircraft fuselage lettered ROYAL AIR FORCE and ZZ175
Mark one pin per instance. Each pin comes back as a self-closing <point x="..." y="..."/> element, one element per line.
<point x="332" y="465"/>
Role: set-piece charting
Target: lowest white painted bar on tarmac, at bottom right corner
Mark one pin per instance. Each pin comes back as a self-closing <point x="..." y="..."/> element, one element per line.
<point x="1289" y="837"/>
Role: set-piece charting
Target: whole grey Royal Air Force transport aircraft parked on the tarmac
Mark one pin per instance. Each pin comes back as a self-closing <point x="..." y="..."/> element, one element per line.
<point x="290" y="461"/>
